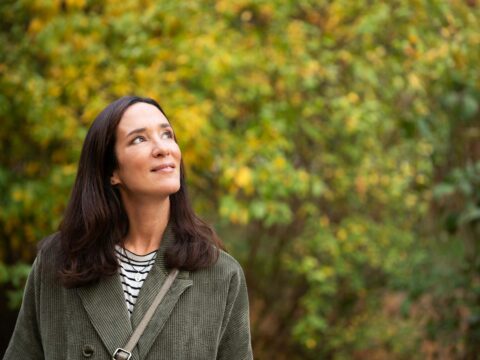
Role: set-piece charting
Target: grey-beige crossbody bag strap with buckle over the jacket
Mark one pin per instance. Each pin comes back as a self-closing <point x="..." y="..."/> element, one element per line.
<point x="126" y="352"/>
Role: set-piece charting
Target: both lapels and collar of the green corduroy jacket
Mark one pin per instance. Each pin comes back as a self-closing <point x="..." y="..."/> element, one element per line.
<point x="106" y="308"/>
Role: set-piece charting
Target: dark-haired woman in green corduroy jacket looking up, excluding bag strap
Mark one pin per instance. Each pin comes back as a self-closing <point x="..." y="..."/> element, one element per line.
<point x="127" y="225"/>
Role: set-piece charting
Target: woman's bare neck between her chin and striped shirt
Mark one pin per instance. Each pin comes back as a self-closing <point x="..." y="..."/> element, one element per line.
<point x="147" y="223"/>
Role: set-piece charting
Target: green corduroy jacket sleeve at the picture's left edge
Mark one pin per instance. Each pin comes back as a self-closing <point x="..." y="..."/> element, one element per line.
<point x="26" y="341"/>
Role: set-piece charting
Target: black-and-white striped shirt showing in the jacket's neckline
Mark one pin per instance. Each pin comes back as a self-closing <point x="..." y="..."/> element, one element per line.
<point x="133" y="272"/>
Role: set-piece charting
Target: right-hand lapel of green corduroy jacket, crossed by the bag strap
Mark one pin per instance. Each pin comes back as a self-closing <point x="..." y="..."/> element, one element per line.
<point x="149" y="291"/>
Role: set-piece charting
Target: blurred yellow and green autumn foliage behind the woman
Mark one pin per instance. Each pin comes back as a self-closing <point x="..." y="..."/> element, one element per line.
<point x="334" y="145"/>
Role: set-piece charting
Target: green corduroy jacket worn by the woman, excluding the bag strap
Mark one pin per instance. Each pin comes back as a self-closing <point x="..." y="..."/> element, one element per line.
<point x="203" y="316"/>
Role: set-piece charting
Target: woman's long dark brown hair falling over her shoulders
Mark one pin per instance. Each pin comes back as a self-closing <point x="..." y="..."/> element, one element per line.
<point x="95" y="219"/>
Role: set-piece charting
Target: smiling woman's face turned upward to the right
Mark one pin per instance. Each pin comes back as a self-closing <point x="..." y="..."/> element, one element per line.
<point x="147" y="154"/>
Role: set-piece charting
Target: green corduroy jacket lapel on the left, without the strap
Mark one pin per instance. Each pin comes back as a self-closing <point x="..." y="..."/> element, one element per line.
<point x="106" y="308"/>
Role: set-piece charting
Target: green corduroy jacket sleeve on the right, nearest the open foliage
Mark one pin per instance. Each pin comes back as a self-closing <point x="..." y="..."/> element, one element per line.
<point x="235" y="342"/>
